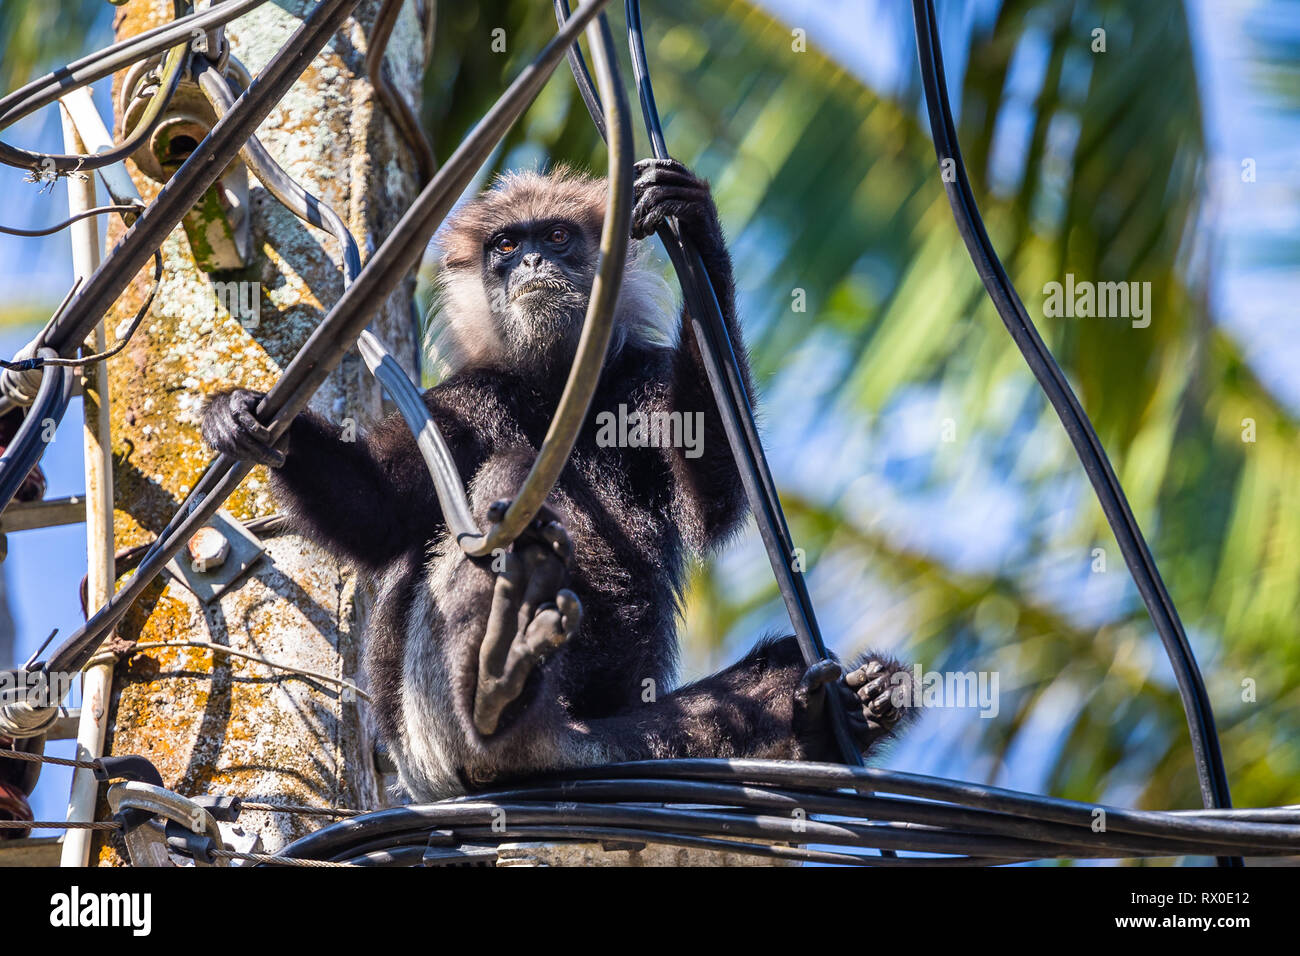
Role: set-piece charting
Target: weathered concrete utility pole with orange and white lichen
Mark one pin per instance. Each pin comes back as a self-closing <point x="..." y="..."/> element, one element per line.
<point x="214" y="723"/>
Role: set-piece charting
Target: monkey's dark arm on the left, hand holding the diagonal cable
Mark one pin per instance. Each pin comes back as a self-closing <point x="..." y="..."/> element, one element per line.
<point x="365" y="498"/>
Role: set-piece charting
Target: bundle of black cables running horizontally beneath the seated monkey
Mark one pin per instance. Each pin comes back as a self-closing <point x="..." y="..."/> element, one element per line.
<point x="717" y="803"/>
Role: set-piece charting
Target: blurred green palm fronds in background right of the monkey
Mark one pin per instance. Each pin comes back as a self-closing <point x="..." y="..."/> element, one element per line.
<point x="1087" y="165"/>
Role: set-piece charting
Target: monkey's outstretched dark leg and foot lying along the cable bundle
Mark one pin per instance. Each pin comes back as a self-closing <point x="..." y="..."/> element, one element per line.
<point x="765" y="706"/>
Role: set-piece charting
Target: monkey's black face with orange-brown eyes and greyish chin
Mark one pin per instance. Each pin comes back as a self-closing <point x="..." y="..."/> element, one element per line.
<point x="539" y="278"/>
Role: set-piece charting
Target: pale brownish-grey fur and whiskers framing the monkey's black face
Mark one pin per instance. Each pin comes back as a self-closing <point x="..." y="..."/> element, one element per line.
<point x="466" y="332"/>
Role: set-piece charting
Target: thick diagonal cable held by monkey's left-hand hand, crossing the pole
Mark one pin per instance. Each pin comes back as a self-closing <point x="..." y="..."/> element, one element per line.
<point x="336" y="334"/>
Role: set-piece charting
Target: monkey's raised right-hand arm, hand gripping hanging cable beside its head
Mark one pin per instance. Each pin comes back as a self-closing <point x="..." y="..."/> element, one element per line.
<point x="710" y="501"/>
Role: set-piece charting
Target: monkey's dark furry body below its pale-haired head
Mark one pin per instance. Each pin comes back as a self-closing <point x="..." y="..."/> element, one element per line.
<point x="636" y="516"/>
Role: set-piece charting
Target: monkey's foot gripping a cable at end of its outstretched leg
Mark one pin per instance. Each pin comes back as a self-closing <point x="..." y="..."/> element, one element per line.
<point x="877" y="697"/>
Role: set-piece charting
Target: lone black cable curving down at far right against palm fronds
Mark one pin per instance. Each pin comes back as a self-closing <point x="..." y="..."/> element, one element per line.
<point x="1142" y="566"/>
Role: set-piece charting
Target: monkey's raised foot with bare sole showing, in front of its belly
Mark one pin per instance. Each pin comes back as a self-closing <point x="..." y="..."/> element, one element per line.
<point x="531" y="617"/>
